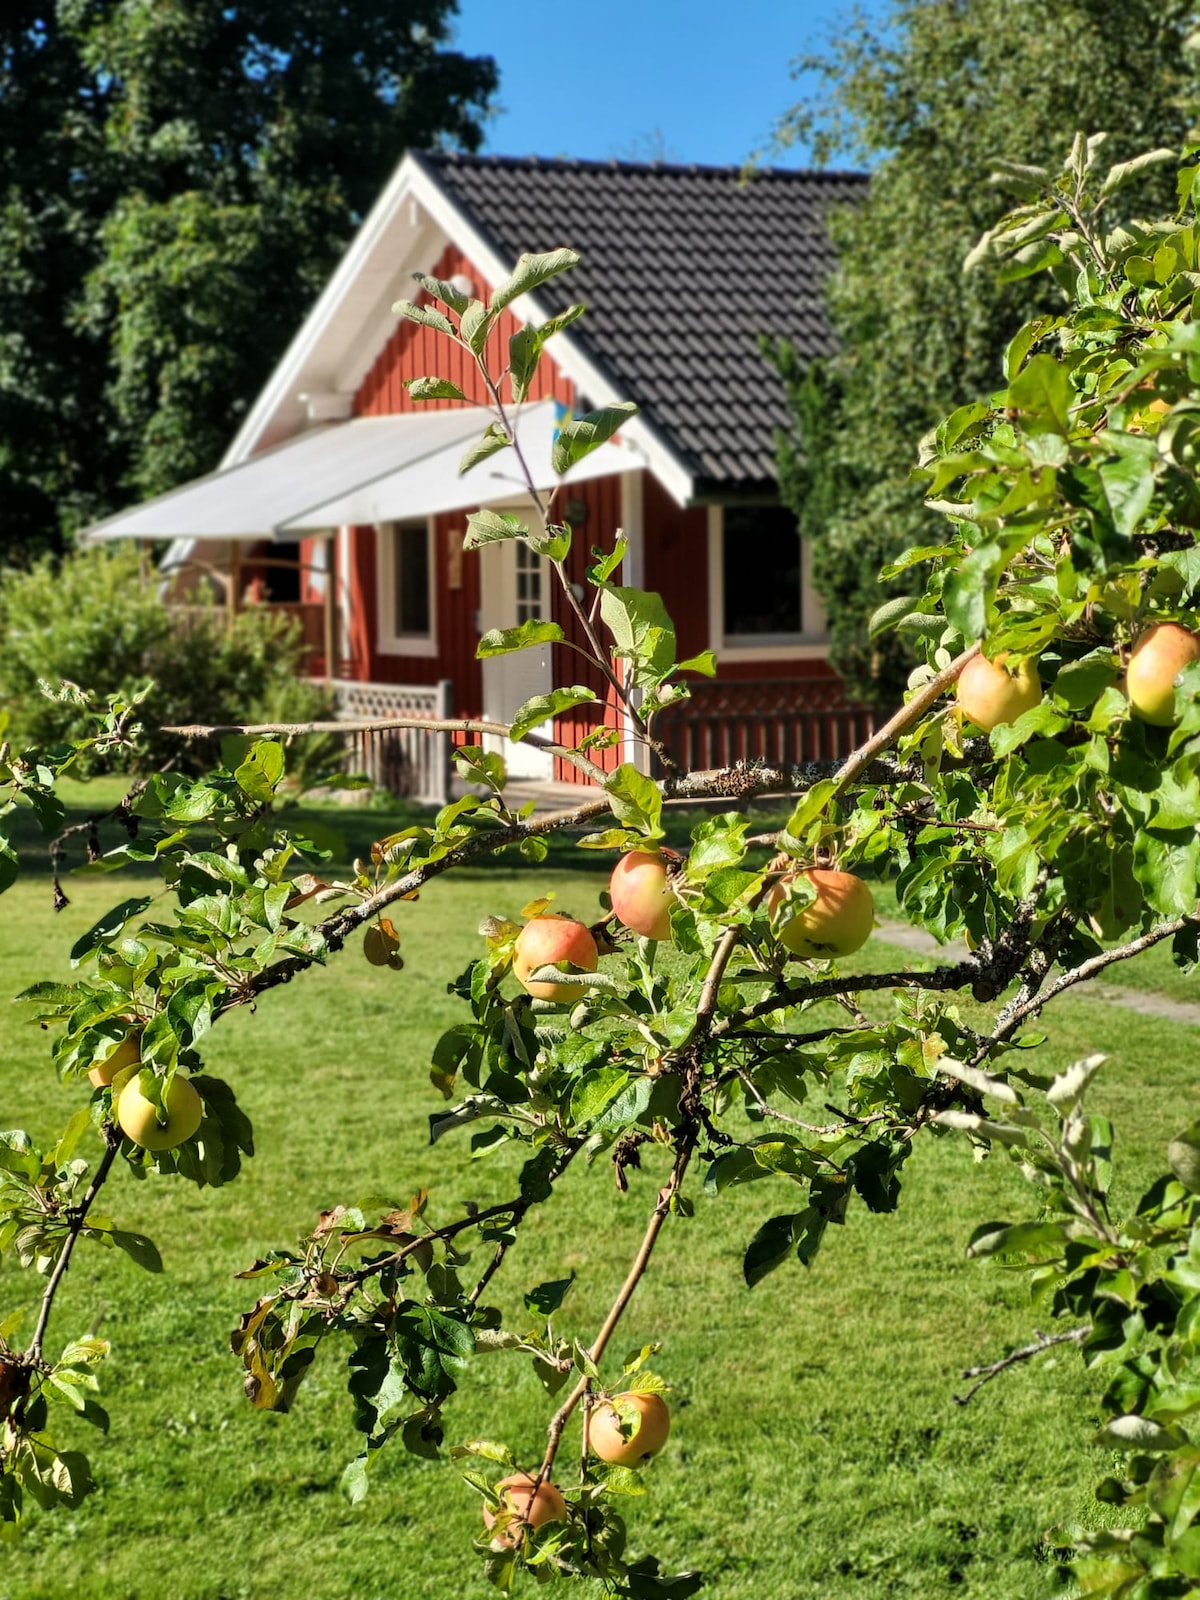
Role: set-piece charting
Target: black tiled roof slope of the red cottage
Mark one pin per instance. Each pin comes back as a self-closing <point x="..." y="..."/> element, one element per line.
<point x="682" y="270"/>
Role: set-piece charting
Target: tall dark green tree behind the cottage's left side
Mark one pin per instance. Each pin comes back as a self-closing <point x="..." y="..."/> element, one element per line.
<point x="177" y="182"/>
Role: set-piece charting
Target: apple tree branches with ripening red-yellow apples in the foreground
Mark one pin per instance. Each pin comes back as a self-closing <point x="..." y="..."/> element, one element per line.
<point x="1039" y="793"/>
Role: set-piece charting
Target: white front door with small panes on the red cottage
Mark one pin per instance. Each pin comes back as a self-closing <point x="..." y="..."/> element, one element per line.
<point x="514" y="590"/>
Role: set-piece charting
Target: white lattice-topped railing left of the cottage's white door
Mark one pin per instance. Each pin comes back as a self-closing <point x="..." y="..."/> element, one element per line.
<point x="404" y="761"/>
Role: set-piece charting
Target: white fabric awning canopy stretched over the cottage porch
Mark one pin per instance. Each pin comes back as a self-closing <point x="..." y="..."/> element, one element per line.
<point x="364" y="471"/>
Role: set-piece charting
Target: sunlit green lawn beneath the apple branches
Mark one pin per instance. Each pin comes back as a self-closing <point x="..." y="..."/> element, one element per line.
<point x="817" y="1452"/>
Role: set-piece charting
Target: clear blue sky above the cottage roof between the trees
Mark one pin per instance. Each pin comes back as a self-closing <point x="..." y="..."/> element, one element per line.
<point x="681" y="81"/>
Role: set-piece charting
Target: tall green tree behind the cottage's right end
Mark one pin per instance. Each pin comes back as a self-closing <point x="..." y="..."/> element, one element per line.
<point x="930" y="97"/>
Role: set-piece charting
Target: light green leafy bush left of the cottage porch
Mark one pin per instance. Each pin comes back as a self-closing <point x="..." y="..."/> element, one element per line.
<point x="94" y="622"/>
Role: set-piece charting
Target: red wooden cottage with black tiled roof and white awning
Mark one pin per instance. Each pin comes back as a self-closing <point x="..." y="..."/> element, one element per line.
<point x="682" y="271"/>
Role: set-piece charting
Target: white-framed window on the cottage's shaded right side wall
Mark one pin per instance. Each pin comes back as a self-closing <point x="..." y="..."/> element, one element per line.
<point x="761" y="601"/>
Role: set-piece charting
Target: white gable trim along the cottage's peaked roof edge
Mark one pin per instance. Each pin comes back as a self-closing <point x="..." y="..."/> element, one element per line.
<point x="415" y="207"/>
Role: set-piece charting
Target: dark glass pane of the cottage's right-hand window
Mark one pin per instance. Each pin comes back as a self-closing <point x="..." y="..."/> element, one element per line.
<point x="761" y="561"/>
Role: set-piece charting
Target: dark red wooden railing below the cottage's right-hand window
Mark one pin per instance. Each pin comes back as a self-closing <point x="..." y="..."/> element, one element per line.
<point x="777" y="721"/>
